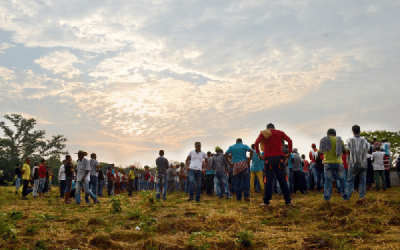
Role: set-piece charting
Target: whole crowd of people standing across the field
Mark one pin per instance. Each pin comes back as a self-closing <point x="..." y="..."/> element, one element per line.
<point x="270" y="165"/>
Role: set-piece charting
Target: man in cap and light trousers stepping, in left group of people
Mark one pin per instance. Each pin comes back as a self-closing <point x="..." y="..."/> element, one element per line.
<point x="83" y="178"/>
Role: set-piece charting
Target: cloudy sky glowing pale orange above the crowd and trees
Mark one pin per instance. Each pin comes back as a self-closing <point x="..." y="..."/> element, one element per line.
<point x="125" y="79"/>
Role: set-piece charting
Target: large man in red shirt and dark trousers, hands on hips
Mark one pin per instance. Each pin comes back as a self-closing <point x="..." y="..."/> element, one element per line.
<point x="274" y="161"/>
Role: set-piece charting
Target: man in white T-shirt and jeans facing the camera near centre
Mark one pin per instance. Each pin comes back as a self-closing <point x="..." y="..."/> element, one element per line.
<point x="196" y="158"/>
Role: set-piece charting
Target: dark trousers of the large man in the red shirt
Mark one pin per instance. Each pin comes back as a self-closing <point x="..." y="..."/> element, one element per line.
<point x="275" y="165"/>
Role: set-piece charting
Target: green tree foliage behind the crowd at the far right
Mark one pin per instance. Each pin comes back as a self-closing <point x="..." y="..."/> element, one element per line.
<point x="392" y="137"/>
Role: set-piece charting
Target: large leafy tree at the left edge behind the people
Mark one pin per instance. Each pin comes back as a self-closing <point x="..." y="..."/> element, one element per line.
<point x="23" y="141"/>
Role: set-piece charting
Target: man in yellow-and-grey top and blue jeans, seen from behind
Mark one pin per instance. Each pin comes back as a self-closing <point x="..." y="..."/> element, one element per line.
<point x="332" y="147"/>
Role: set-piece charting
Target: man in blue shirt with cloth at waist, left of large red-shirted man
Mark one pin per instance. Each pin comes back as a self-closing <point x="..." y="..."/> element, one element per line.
<point x="240" y="166"/>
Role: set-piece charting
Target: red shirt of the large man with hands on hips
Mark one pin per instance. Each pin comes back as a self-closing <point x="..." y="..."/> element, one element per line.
<point x="273" y="145"/>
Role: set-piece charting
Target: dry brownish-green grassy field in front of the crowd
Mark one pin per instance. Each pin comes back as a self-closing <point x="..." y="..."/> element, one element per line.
<point x="373" y="223"/>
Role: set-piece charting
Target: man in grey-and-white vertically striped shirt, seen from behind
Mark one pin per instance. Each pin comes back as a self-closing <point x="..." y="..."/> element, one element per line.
<point x="357" y="149"/>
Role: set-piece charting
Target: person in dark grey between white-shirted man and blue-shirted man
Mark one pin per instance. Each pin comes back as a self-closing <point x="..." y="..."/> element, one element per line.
<point x="220" y="165"/>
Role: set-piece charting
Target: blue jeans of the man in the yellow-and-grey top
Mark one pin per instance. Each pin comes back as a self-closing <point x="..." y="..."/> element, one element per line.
<point x="330" y="171"/>
